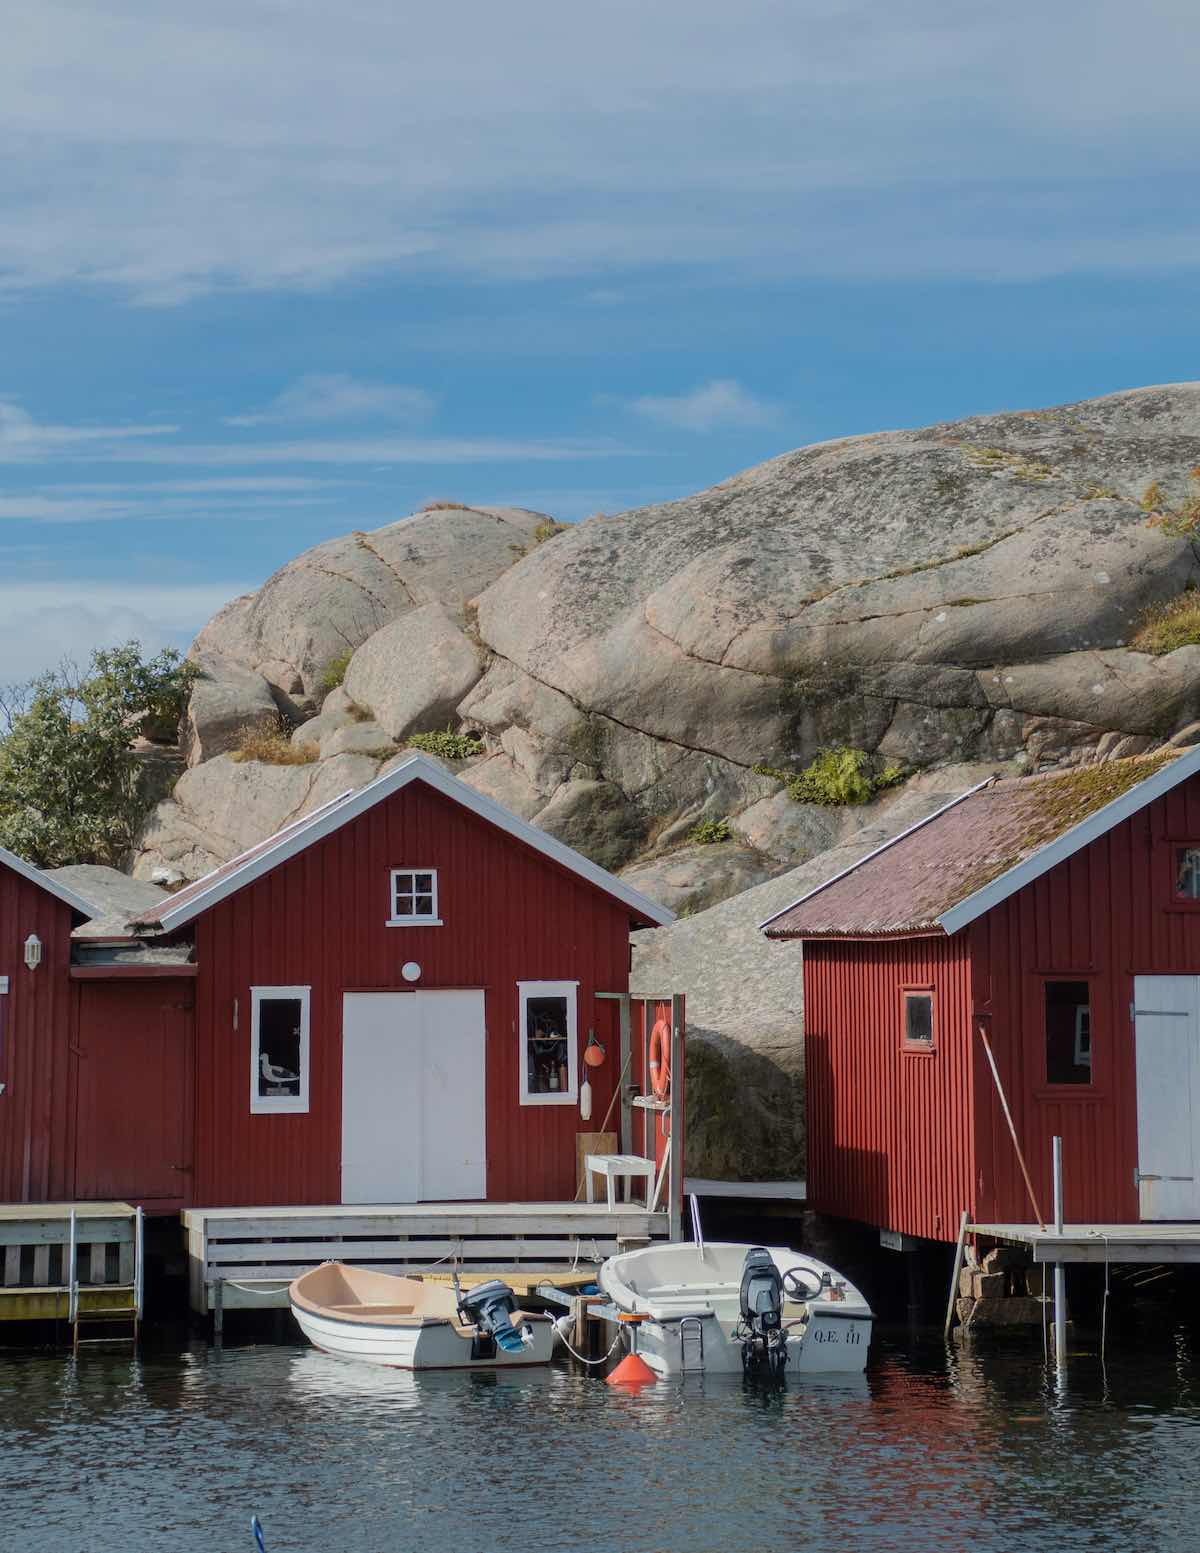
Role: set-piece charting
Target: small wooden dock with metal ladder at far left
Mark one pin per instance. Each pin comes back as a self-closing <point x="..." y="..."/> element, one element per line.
<point x="43" y="1280"/>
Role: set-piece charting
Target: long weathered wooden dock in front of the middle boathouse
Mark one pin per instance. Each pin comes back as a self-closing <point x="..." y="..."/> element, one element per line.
<point x="245" y="1259"/>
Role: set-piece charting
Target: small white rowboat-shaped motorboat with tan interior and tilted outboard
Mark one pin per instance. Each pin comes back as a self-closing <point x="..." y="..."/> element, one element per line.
<point x="408" y="1324"/>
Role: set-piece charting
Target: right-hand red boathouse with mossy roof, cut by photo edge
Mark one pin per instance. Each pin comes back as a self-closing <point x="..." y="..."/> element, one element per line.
<point x="1061" y="917"/>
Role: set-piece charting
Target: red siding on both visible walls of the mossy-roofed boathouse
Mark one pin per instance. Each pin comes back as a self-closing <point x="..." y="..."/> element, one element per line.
<point x="907" y="1142"/>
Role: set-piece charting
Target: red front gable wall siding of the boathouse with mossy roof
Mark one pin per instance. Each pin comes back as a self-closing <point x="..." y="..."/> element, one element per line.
<point x="1106" y="915"/>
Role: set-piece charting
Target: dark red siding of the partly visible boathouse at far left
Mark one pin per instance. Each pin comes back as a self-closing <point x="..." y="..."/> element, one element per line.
<point x="36" y="1029"/>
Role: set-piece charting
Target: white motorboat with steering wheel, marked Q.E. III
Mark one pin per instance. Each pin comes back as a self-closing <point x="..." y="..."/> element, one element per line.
<point x="727" y="1307"/>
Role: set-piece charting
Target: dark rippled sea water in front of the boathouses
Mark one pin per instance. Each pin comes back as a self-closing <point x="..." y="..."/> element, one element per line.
<point x="928" y="1451"/>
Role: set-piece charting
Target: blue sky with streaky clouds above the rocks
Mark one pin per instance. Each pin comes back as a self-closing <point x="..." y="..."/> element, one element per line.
<point x="277" y="269"/>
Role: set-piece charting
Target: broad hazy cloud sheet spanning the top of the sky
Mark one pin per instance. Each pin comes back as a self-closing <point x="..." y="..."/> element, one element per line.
<point x="290" y="144"/>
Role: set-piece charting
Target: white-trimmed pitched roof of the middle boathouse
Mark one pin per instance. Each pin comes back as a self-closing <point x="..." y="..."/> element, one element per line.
<point x="302" y="835"/>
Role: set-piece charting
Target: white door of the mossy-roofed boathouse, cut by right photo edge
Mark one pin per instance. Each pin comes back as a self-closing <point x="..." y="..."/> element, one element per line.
<point x="1167" y="1023"/>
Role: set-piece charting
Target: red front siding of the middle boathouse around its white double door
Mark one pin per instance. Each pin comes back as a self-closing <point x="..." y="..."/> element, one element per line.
<point x="510" y="914"/>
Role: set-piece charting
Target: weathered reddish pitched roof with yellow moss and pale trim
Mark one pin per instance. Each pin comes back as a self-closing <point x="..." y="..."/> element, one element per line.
<point x="979" y="850"/>
